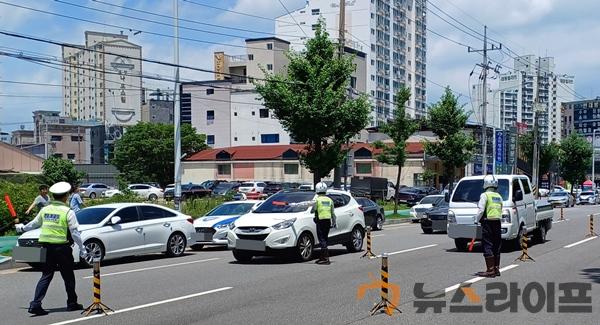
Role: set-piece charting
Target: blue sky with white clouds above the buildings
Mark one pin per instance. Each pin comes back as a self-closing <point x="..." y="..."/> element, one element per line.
<point x="553" y="27"/>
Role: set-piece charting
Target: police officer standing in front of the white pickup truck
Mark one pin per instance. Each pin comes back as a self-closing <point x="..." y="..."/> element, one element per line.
<point x="489" y="215"/>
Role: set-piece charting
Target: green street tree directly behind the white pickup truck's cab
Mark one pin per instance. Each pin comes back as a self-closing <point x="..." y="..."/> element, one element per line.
<point x="454" y="147"/>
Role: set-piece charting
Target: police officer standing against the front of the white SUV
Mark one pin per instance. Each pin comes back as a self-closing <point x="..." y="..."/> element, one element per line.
<point x="325" y="219"/>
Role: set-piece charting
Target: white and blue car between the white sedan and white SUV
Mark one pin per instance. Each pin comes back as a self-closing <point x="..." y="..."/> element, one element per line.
<point x="211" y="229"/>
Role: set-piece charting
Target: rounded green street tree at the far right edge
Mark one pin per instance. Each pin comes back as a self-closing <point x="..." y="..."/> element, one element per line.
<point x="575" y="157"/>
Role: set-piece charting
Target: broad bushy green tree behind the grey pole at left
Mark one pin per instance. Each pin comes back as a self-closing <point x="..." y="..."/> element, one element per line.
<point x="145" y="152"/>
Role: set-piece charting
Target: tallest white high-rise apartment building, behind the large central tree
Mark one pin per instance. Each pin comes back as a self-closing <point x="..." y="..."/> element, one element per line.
<point x="391" y="32"/>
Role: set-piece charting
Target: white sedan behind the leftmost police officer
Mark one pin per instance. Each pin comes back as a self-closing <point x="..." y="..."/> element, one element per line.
<point x="115" y="230"/>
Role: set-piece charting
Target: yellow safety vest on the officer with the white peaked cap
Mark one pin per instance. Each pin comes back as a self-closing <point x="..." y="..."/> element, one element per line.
<point x="55" y="224"/>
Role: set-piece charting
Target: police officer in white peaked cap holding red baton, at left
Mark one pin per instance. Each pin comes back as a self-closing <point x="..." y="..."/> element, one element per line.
<point x="56" y="221"/>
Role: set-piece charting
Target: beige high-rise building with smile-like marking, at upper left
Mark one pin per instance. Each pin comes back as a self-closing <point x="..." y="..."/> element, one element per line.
<point x="102" y="80"/>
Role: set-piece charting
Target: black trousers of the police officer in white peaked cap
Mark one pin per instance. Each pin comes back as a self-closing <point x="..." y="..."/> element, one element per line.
<point x="58" y="257"/>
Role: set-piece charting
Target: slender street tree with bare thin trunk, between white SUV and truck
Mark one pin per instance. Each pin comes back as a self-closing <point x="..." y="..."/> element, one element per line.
<point x="399" y="129"/>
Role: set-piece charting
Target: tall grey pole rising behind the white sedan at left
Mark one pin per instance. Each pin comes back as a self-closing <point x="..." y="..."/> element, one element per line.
<point x="177" y="112"/>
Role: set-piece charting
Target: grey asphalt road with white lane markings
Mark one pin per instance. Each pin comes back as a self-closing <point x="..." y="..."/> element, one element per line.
<point x="209" y="287"/>
